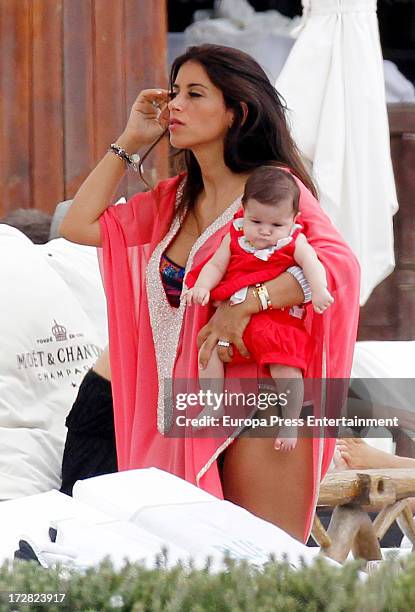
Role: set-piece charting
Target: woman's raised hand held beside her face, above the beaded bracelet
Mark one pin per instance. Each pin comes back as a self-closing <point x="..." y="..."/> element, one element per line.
<point x="148" y="119"/>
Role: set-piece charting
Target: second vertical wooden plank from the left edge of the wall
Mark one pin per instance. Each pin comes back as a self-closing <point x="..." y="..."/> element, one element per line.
<point x="47" y="125"/>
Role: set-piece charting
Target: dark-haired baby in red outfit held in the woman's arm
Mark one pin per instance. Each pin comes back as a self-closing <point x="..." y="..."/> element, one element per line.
<point x="264" y="240"/>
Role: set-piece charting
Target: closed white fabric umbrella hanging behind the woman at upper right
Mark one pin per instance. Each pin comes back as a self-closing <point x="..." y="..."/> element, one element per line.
<point x="334" y="88"/>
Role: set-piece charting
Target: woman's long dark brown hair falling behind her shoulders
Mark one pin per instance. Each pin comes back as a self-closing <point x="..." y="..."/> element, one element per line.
<point x="262" y="137"/>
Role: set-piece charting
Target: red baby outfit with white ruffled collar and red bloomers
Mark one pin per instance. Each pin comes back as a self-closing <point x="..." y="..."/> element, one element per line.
<point x="272" y="336"/>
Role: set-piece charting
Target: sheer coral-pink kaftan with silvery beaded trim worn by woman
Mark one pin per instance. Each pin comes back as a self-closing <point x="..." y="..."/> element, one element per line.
<point x="151" y="342"/>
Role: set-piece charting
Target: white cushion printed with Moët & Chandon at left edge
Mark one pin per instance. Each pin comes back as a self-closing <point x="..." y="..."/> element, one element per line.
<point x="47" y="344"/>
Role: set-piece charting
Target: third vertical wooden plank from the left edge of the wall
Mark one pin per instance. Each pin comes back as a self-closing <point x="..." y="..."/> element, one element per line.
<point x="79" y="119"/>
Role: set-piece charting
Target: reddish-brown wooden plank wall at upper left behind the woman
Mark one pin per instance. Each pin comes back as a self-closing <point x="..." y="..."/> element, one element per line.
<point x="69" y="72"/>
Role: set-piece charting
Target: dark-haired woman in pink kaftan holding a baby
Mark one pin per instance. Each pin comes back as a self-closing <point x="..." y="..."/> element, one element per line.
<point x="227" y="117"/>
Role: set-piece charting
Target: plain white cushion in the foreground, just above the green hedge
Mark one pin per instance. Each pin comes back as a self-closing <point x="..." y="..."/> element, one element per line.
<point x="188" y="517"/>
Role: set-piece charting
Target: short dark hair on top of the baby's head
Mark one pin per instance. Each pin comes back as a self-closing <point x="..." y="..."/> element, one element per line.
<point x="269" y="185"/>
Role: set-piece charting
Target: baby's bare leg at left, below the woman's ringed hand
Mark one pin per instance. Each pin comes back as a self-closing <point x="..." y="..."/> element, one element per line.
<point x="211" y="381"/>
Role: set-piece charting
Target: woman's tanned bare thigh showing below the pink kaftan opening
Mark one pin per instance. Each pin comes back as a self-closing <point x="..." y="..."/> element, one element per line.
<point x="272" y="485"/>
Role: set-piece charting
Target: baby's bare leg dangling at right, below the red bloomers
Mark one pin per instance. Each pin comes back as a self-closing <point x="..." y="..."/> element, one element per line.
<point x="288" y="380"/>
